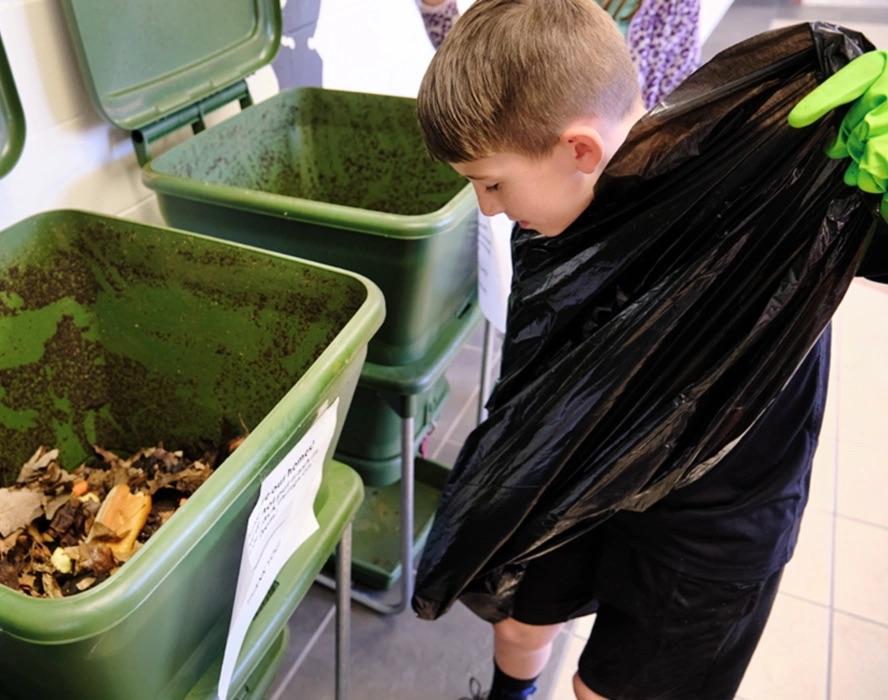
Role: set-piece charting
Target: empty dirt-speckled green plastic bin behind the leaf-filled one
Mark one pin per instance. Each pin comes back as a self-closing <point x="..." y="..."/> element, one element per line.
<point x="342" y="178"/>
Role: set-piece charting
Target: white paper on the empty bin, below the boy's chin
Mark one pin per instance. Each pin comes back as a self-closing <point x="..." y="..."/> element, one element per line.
<point x="494" y="268"/>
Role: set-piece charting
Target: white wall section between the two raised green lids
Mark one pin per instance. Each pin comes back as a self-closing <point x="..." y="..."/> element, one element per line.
<point x="71" y="157"/>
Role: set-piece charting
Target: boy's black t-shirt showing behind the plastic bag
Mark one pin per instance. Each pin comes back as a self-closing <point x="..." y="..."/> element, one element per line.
<point x="741" y="520"/>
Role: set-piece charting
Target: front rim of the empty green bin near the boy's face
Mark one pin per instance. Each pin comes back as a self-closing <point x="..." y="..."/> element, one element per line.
<point x="340" y="216"/>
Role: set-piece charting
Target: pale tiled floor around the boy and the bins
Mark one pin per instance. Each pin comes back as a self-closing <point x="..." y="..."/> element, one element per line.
<point x="828" y="634"/>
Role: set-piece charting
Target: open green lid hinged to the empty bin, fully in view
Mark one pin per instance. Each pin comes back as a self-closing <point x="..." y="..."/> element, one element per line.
<point x="145" y="60"/>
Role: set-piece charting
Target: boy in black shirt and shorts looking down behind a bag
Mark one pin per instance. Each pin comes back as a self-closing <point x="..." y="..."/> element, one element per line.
<point x="529" y="99"/>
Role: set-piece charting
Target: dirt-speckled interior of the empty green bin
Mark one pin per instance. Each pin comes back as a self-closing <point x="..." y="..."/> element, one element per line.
<point x="304" y="146"/>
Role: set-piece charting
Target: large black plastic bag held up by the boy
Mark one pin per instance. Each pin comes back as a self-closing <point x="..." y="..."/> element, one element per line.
<point x="645" y="340"/>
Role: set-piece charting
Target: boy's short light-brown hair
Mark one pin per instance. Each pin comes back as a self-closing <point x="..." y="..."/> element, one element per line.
<point x="512" y="74"/>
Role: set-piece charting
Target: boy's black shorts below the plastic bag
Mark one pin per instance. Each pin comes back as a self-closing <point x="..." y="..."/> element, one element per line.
<point x="658" y="634"/>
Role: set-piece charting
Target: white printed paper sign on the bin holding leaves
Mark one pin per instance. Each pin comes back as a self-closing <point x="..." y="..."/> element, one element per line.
<point x="281" y="521"/>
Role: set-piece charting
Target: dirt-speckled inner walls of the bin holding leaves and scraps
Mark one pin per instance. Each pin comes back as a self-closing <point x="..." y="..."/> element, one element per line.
<point x="148" y="335"/>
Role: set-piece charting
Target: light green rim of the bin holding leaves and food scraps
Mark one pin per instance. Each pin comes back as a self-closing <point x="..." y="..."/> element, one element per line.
<point x="109" y="603"/>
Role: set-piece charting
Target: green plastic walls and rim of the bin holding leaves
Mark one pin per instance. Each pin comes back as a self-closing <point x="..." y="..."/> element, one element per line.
<point x="124" y="335"/>
